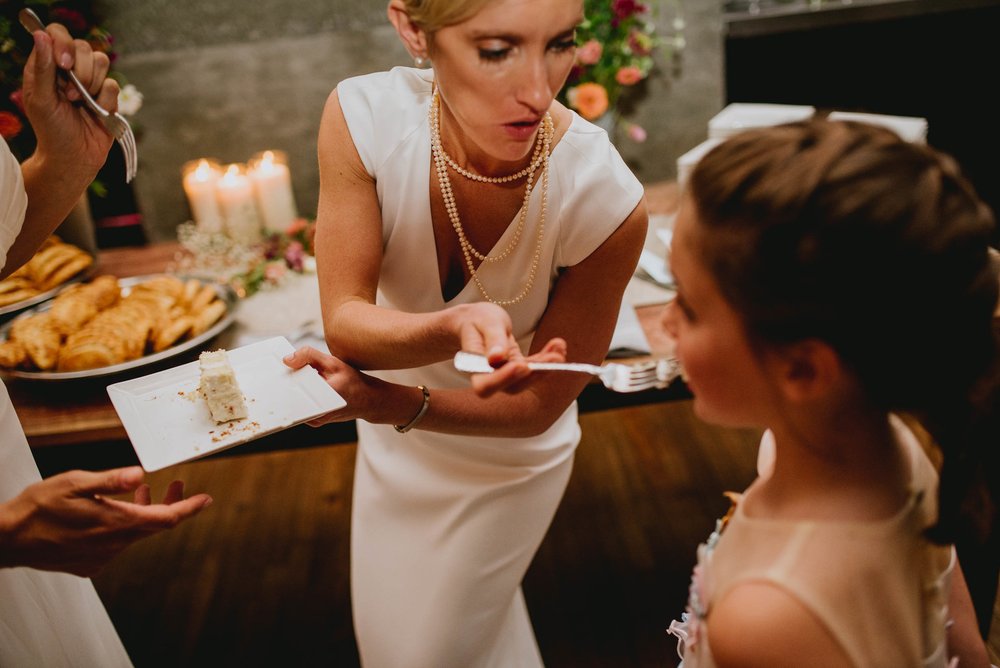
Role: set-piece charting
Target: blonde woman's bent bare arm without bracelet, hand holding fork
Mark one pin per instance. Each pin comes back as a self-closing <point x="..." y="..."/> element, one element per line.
<point x="349" y="254"/>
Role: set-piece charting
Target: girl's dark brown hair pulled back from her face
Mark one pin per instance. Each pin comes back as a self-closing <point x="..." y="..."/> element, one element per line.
<point x="844" y="232"/>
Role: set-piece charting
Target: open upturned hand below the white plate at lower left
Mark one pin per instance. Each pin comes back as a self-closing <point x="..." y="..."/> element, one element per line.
<point x="68" y="523"/>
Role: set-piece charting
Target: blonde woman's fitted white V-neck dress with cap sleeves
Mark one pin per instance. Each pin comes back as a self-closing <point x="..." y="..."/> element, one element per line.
<point x="444" y="527"/>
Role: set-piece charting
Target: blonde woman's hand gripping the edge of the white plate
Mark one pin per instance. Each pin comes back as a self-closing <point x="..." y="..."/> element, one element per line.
<point x="364" y="394"/>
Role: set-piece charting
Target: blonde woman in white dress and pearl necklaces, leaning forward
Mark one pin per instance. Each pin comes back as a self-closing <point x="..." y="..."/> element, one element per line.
<point x="462" y="207"/>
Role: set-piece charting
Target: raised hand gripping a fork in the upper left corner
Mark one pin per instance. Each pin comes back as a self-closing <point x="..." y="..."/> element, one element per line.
<point x="65" y="130"/>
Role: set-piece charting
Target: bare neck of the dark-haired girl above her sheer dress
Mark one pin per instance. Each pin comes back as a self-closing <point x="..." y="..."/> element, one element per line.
<point x="851" y="468"/>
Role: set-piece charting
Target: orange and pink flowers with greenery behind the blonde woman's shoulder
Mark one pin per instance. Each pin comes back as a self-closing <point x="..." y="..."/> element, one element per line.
<point x="616" y="46"/>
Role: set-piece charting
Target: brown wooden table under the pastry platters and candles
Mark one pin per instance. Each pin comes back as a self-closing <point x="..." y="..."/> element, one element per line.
<point x="79" y="412"/>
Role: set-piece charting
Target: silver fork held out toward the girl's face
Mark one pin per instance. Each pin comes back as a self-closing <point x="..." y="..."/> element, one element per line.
<point x="617" y="377"/>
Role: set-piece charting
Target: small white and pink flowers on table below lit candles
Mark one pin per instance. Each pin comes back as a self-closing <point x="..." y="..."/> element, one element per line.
<point x="248" y="268"/>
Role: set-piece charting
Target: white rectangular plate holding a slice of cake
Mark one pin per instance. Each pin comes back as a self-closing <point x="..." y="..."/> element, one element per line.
<point x="168" y="421"/>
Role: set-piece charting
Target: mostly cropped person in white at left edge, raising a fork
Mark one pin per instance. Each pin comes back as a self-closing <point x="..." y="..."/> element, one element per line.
<point x="64" y="523"/>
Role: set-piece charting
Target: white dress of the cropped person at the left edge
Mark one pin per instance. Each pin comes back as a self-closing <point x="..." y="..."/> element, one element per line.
<point x="46" y="619"/>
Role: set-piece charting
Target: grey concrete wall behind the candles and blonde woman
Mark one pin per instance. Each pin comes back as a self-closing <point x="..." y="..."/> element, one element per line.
<point x="226" y="78"/>
